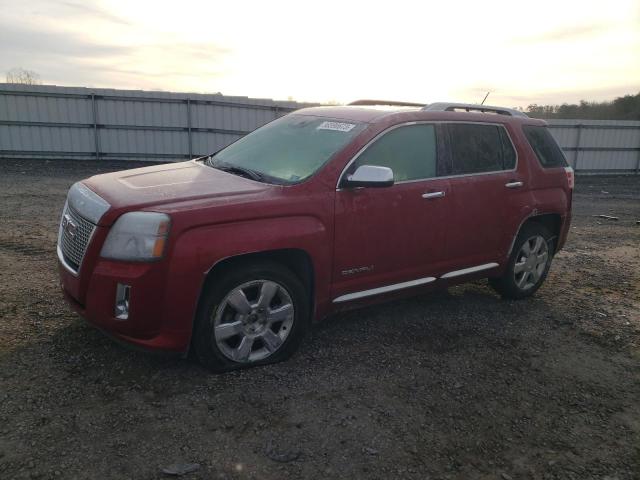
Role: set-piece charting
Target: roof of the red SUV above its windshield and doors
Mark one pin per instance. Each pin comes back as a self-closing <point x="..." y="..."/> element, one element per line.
<point x="374" y="114"/>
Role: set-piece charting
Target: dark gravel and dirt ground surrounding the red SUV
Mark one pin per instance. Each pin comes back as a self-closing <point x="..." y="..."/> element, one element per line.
<point x="451" y="385"/>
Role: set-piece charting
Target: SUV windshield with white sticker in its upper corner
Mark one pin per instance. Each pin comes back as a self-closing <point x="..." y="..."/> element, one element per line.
<point x="287" y="150"/>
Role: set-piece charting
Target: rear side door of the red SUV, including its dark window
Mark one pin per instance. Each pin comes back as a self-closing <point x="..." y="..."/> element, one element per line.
<point x="484" y="178"/>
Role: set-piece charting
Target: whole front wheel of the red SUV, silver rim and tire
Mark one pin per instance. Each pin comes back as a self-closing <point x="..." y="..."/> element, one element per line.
<point x="254" y="315"/>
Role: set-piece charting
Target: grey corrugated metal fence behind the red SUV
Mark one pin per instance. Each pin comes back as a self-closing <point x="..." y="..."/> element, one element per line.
<point x="44" y="121"/>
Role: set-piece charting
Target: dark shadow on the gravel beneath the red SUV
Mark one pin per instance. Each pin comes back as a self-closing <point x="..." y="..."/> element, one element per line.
<point x="437" y="321"/>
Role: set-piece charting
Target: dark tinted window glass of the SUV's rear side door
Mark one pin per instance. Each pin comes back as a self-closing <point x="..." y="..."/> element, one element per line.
<point x="475" y="148"/>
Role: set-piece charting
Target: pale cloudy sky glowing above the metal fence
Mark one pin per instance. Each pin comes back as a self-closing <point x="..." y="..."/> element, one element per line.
<point x="323" y="50"/>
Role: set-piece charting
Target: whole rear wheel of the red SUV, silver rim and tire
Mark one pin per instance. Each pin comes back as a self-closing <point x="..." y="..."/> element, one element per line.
<point x="528" y="264"/>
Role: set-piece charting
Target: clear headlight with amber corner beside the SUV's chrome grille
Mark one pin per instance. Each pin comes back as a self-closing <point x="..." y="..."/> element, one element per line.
<point x="137" y="236"/>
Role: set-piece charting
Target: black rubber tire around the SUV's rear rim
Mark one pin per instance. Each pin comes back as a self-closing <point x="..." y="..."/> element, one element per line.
<point x="507" y="285"/>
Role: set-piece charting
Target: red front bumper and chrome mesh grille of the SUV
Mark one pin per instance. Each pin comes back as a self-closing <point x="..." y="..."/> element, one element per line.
<point x="161" y="305"/>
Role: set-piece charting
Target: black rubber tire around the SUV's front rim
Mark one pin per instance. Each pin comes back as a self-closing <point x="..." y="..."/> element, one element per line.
<point x="204" y="341"/>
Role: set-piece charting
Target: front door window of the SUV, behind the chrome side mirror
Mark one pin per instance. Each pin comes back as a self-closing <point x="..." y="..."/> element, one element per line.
<point x="409" y="151"/>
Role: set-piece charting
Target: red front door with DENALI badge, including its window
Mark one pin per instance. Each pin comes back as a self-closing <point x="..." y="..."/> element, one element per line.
<point x="393" y="235"/>
